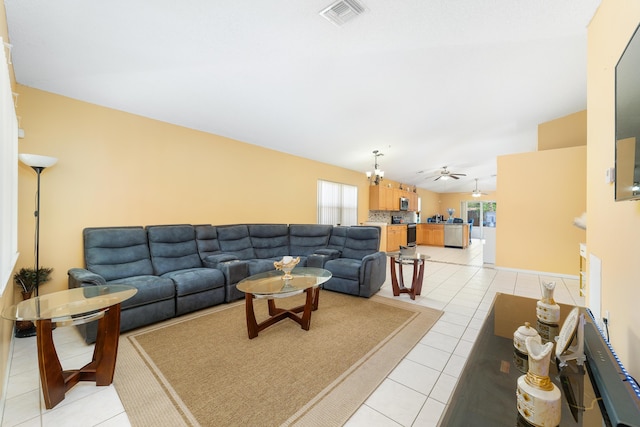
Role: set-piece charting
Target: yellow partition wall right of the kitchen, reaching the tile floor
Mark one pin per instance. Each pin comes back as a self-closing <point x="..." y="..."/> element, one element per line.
<point x="539" y="195"/>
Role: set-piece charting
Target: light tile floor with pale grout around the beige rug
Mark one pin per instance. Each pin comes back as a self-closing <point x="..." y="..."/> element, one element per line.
<point x="414" y="394"/>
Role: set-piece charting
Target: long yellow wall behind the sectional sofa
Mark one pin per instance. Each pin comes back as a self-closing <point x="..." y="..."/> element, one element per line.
<point x="120" y="169"/>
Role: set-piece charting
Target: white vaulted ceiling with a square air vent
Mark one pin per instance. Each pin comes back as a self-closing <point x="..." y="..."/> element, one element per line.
<point x="429" y="83"/>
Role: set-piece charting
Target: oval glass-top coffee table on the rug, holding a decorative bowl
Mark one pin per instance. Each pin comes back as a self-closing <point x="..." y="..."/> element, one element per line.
<point x="272" y="285"/>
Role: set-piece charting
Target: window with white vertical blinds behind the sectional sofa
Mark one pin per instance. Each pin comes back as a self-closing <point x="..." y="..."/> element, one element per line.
<point x="337" y="203"/>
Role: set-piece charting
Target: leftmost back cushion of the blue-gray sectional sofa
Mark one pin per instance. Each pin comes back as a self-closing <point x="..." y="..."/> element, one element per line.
<point x="117" y="252"/>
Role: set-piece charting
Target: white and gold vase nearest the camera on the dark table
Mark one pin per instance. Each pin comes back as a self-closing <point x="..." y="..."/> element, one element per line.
<point x="538" y="399"/>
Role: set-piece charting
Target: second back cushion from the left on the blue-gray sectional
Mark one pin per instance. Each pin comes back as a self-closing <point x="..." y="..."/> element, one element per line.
<point x="173" y="247"/>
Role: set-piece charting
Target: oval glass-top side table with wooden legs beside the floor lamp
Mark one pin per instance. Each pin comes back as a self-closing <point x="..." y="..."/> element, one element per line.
<point x="71" y="307"/>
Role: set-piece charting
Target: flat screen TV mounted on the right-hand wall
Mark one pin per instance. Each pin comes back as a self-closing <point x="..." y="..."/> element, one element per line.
<point x="627" y="167"/>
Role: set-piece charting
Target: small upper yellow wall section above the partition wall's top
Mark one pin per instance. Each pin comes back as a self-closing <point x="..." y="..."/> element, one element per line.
<point x="568" y="131"/>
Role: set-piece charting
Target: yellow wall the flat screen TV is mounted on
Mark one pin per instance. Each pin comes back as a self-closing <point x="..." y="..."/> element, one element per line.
<point x="613" y="228"/>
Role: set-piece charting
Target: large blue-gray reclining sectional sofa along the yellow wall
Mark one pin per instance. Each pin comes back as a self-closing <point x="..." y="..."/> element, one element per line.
<point x="179" y="269"/>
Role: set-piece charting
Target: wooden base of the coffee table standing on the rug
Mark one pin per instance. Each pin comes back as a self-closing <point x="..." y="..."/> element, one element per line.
<point x="278" y="314"/>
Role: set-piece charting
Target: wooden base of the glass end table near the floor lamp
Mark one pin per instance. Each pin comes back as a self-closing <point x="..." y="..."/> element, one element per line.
<point x="55" y="381"/>
